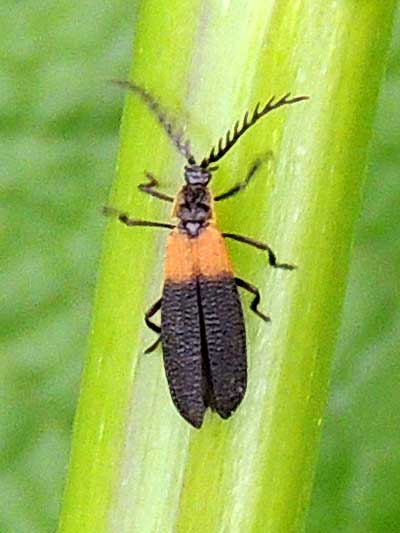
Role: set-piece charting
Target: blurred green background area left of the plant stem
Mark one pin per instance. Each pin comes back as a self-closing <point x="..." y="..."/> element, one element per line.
<point x="59" y="122"/>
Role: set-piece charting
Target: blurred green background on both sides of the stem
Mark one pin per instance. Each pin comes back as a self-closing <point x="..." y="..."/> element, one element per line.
<point x="59" y="122"/>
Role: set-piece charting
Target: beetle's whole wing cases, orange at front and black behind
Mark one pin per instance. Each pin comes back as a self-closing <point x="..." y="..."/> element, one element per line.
<point x="202" y="327"/>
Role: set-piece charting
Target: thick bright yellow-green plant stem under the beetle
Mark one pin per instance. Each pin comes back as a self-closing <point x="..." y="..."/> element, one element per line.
<point x="135" y="465"/>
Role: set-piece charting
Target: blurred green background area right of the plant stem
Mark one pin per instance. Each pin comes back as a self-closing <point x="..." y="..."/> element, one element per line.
<point x="358" y="475"/>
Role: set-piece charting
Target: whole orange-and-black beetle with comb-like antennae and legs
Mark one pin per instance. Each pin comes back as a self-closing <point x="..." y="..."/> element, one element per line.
<point x="202" y="328"/>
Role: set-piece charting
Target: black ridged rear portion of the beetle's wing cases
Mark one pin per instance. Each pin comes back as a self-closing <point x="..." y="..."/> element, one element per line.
<point x="204" y="346"/>
